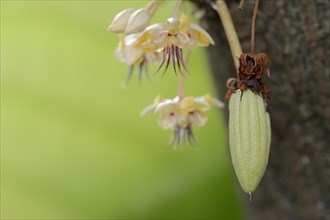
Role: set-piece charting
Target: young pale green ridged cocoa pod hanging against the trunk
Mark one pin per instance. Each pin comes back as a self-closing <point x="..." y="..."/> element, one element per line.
<point x="249" y="137"/>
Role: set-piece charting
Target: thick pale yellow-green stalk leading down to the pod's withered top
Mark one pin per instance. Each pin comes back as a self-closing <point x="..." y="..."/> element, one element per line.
<point x="227" y="22"/>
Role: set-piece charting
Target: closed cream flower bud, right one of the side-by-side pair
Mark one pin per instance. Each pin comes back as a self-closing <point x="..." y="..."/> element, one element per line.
<point x="138" y="21"/>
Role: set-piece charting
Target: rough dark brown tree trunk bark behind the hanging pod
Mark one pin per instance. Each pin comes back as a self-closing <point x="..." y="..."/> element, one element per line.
<point x="296" y="36"/>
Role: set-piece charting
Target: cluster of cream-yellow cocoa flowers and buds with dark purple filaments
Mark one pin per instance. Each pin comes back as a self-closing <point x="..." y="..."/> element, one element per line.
<point x="162" y="43"/>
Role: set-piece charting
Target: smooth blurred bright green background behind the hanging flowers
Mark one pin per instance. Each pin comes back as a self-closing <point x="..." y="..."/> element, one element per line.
<point x="72" y="142"/>
